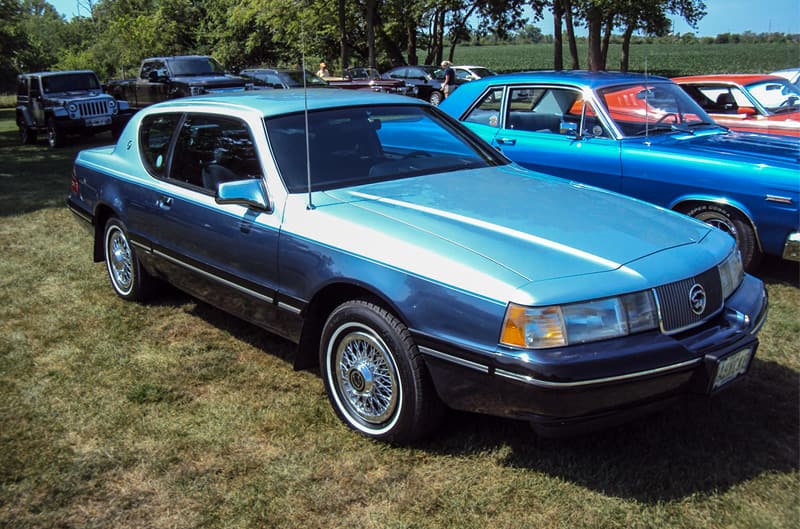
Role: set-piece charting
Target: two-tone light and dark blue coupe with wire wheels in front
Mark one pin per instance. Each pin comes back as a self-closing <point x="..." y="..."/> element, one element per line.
<point x="414" y="264"/>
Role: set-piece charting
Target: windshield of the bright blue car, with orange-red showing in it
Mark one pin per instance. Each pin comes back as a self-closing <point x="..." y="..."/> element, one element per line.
<point x="652" y="108"/>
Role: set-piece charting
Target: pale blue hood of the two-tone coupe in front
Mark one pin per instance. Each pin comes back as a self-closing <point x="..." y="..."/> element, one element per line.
<point x="538" y="227"/>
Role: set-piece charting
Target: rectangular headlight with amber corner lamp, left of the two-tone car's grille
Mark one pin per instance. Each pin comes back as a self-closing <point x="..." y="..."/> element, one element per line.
<point x="560" y="325"/>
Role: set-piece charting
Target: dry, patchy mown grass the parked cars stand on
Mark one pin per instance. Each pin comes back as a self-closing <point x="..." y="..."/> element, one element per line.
<point x="174" y="414"/>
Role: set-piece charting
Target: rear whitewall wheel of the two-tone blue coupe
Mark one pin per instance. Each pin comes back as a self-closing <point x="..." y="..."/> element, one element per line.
<point x="127" y="276"/>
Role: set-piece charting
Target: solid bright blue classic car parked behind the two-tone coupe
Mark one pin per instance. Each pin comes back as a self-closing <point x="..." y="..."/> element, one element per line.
<point x="643" y="136"/>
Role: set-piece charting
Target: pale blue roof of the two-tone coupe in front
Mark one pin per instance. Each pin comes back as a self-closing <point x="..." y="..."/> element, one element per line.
<point x="279" y="102"/>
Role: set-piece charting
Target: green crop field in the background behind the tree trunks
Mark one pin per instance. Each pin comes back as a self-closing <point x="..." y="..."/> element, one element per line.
<point x="662" y="59"/>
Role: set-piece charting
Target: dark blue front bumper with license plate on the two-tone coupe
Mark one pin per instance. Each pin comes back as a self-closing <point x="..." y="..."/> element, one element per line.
<point x="586" y="386"/>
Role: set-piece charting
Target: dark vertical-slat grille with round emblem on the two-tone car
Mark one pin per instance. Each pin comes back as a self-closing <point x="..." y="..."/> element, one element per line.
<point x="675" y="301"/>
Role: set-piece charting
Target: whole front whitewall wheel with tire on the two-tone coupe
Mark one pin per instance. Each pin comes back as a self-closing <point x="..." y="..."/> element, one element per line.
<point x="374" y="376"/>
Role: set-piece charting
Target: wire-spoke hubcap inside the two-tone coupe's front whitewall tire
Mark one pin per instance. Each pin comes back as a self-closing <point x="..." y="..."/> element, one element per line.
<point x="366" y="377"/>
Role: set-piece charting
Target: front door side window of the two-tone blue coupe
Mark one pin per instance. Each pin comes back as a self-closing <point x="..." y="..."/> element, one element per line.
<point x="210" y="150"/>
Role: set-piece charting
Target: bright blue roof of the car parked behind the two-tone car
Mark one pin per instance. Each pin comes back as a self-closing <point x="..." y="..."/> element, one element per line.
<point x="577" y="78"/>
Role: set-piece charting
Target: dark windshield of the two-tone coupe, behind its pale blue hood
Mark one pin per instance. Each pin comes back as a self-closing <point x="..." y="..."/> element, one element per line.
<point x="361" y="145"/>
